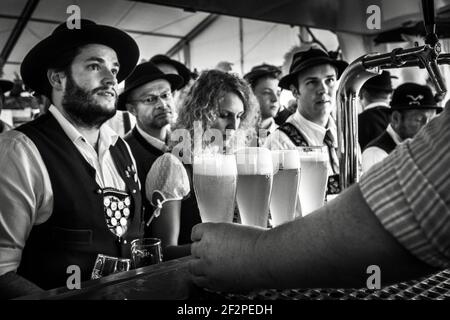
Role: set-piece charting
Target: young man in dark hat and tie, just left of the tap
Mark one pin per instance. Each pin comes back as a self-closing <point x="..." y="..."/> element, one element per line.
<point x="312" y="80"/>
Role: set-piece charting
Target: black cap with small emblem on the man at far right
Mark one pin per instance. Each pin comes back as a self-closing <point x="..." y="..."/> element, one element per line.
<point x="413" y="96"/>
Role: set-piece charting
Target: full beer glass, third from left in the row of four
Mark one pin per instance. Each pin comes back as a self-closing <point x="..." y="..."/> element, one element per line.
<point x="286" y="178"/>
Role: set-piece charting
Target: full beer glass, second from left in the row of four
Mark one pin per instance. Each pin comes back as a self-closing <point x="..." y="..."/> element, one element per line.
<point x="255" y="175"/>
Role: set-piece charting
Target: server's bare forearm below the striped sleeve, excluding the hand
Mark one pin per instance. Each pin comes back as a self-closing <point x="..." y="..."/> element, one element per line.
<point x="333" y="248"/>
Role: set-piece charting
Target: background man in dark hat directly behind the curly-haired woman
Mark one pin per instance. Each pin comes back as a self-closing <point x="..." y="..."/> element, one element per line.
<point x="263" y="80"/>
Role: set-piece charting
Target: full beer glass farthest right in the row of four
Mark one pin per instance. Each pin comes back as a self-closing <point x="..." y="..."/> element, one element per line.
<point x="313" y="177"/>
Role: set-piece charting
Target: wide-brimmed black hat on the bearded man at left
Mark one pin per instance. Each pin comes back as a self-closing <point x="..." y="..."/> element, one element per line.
<point x="41" y="57"/>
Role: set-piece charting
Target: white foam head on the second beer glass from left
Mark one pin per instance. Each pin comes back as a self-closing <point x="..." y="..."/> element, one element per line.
<point x="254" y="160"/>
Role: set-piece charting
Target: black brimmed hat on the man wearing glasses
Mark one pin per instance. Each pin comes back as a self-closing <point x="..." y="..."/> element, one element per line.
<point x="144" y="73"/>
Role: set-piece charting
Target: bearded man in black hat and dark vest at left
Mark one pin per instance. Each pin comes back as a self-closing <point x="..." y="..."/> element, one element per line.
<point x="69" y="189"/>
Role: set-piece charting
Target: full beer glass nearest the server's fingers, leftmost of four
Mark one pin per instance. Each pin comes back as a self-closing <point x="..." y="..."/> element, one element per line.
<point x="215" y="178"/>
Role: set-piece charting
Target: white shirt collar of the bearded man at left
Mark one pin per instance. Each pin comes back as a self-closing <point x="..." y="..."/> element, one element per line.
<point x="107" y="135"/>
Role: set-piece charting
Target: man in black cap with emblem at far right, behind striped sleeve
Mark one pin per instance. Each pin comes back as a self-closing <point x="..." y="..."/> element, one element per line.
<point x="412" y="107"/>
